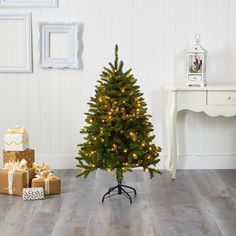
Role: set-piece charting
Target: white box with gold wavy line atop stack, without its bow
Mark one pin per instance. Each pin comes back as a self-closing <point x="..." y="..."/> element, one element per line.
<point x="16" y="142"/>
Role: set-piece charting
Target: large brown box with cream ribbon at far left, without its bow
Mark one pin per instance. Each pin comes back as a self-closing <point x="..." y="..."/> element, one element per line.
<point x="12" y="182"/>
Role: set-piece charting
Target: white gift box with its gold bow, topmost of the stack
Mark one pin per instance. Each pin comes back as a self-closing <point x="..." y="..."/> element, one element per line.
<point x="16" y="139"/>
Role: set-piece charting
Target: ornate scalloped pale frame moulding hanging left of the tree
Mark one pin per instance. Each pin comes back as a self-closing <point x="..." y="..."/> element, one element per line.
<point x="72" y="29"/>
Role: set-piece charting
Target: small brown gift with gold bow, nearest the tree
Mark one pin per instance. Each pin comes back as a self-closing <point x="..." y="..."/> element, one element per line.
<point x="49" y="182"/>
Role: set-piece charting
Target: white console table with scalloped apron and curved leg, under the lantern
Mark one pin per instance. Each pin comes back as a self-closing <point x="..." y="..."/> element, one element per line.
<point x="214" y="100"/>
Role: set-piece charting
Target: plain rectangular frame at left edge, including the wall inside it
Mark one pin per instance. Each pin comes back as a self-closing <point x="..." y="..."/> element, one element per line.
<point x="15" y="43"/>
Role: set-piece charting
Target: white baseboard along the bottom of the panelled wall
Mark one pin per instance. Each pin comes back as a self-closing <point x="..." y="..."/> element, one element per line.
<point x="184" y="161"/>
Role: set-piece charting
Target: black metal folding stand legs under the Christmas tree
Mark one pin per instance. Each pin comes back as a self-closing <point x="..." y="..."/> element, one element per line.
<point x="120" y="190"/>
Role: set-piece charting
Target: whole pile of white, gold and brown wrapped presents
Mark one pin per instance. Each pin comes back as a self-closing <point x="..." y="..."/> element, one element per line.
<point x="20" y="174"/>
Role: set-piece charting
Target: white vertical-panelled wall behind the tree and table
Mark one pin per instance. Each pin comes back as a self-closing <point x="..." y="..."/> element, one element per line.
<point x="153" y="37"/>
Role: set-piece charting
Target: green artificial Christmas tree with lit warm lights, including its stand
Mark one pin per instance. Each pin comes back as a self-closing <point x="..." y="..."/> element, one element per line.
<point x="118" y="135"/>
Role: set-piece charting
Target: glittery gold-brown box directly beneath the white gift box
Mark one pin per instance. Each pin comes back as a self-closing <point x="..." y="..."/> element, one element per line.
<point x="28" y="155"/>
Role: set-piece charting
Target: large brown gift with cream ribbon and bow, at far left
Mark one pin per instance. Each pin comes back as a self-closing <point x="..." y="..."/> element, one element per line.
<point x="14" y="177"/>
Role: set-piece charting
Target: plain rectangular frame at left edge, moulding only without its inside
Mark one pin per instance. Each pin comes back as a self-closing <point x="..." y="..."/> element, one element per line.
<point x="28" y="43"/>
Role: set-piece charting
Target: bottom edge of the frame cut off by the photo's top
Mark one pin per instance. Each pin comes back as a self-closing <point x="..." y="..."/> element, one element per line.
<point x="29" y="3"/>
